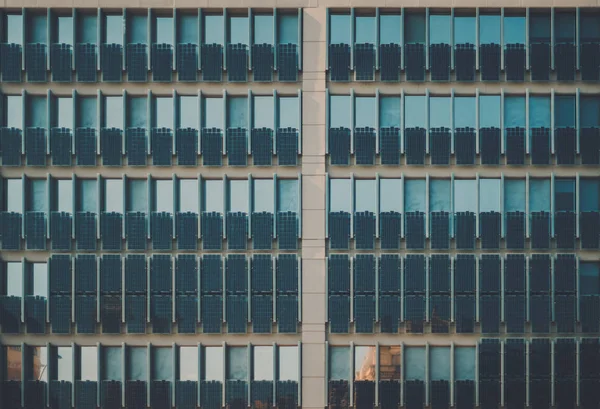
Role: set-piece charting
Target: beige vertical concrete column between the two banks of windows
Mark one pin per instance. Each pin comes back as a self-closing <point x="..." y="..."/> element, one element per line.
<point x="314" y="273"/>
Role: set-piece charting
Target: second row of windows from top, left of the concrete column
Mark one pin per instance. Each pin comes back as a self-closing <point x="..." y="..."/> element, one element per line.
<point x="74" y="130"/>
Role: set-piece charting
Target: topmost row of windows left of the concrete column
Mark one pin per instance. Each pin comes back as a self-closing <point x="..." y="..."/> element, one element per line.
<point x="161" y="41"/>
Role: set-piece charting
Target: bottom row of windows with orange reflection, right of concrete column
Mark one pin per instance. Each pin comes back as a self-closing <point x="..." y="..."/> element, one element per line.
<point x="513" y="373"/>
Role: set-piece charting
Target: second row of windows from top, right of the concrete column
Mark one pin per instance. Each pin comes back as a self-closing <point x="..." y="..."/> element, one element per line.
<point x="464" y="129"/>
